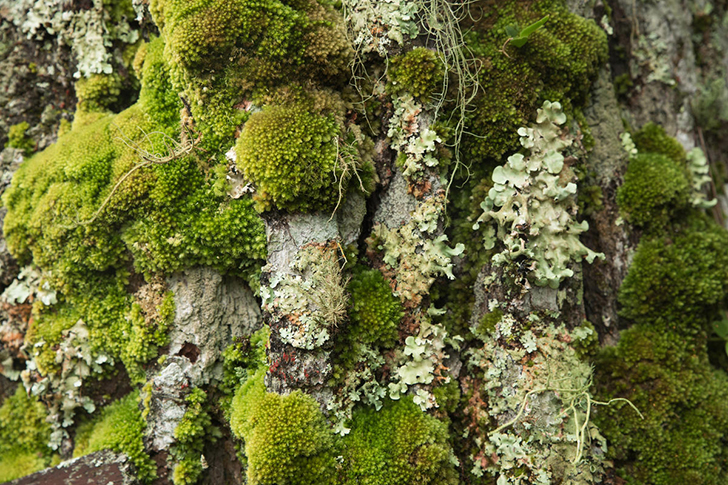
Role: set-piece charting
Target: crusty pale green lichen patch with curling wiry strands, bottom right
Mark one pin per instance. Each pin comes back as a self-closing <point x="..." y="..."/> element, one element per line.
<point x="542" y="408"/>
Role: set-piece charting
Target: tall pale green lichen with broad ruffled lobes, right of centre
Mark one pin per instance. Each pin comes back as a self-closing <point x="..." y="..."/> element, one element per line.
<point x="531" y="207"/>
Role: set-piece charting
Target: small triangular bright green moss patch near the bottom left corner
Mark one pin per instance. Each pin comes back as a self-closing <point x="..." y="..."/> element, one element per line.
<point x="118" y="427"/>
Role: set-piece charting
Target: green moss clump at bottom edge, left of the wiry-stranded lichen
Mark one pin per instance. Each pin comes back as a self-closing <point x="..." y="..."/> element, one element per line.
<point x="397" y="445"/>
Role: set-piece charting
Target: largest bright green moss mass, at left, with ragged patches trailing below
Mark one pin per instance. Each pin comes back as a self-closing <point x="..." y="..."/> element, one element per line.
<point x="84" y="212"/>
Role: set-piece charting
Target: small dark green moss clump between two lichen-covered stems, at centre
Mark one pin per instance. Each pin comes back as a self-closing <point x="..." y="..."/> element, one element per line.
<point x="375" y="312"/>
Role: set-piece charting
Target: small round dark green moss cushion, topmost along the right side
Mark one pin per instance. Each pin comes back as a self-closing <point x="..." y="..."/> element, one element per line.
<point x="655" y="188"/>
